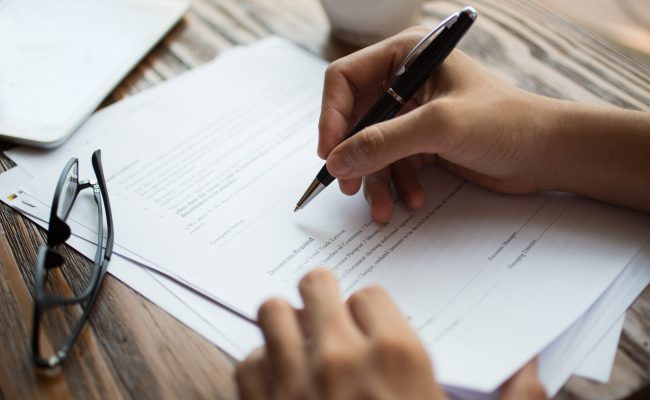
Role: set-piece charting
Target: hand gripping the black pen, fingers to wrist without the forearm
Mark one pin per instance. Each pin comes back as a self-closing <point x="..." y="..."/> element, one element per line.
<point x="477" y="125"/>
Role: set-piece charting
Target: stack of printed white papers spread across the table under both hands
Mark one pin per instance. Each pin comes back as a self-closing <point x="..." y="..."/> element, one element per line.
<point x="206" y="167"/>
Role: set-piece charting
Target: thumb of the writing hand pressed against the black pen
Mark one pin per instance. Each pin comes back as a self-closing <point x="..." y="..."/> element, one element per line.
<point x="379" y="145"/>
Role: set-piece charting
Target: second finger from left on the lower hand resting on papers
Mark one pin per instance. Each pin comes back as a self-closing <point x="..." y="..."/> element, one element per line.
<point x="284" y="345"/>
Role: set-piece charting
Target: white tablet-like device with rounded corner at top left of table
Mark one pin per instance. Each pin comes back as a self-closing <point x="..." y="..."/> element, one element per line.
<point x="60" y="58"/>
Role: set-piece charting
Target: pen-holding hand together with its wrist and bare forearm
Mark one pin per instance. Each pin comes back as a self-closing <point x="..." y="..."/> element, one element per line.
<point x="479" y="127"/>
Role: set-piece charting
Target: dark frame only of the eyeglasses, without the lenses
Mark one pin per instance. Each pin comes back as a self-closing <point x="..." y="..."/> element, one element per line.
<point x="48" y="257"/>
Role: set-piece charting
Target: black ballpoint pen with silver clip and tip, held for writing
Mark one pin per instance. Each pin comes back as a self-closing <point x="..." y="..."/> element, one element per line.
<point x="416" y="68"/>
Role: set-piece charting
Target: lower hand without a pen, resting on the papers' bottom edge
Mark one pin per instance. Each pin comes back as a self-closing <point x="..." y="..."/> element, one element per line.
<point x="361" y="349"/>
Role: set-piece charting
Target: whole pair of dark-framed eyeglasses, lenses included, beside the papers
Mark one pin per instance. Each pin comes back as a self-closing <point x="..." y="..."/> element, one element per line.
<point x="60" y="311"/>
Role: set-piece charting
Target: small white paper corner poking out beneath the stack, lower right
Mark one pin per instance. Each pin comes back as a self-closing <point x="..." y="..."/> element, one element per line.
<point x="599" y="363"/>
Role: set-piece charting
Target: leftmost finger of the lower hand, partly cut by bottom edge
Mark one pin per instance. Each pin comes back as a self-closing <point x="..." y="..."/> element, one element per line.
<point x="252" y="377"/>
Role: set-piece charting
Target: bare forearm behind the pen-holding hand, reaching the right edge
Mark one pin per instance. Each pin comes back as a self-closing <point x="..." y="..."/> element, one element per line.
<point x="599" y="152"/>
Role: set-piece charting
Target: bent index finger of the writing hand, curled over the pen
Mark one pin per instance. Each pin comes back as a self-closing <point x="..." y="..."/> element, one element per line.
<point x="357" y="73"/>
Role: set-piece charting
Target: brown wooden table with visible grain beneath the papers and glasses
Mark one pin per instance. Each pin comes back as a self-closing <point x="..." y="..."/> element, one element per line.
<point x="133" y="349"/>
